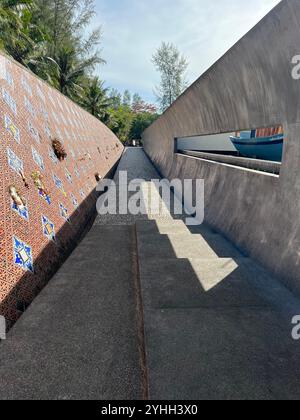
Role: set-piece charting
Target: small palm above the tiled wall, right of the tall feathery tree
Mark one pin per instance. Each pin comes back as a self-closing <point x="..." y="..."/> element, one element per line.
<point x="95" y="98"/>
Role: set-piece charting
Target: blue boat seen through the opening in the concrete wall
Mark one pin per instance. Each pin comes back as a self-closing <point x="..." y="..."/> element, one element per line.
<point x="255" y="144"/>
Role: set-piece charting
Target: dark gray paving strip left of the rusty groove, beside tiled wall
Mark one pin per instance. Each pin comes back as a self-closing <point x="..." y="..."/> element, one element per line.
<point x="79" y="338"/>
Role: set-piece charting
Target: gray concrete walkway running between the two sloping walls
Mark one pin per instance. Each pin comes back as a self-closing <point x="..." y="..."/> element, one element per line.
<point x="216" y="325"/>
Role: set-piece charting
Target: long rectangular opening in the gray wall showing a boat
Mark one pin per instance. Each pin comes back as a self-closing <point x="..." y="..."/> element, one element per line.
<point x="259" y="149"/>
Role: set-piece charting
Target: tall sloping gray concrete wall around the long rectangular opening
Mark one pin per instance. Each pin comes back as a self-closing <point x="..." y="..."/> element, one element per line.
<point x="250" y="86"/>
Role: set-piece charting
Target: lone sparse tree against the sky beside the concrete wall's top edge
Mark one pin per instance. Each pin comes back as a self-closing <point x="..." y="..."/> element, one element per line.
<point x="172" y="67"/>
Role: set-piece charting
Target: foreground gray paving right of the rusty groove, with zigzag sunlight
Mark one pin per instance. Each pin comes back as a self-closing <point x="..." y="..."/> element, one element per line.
<point x="216" y="325"/>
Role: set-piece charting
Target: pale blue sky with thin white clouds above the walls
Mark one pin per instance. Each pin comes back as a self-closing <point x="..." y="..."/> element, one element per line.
<point x="203" y="30"/>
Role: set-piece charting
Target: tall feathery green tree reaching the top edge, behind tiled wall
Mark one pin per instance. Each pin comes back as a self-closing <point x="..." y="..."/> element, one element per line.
<point x="64" y="22"/>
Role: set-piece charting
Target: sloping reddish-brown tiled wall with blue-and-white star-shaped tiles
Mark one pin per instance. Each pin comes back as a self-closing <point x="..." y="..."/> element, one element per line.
<point x="34" y="238"/>
